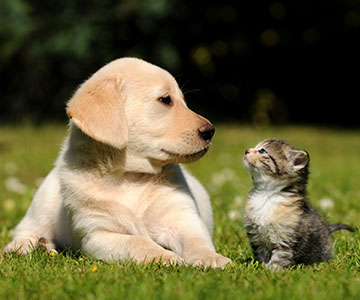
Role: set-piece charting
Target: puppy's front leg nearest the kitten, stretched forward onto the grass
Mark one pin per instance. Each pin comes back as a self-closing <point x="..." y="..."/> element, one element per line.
<point x="177" y="225"/>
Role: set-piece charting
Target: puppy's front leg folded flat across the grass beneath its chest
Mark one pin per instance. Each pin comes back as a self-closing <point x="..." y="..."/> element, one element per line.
<point x="111" y="246"/>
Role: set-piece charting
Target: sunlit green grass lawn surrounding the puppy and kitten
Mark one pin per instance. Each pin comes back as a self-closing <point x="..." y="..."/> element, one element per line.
<point x="28" y="153"/>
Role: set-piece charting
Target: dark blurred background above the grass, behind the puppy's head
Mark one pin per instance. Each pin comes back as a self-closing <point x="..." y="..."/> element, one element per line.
<point x="264" y="62"/>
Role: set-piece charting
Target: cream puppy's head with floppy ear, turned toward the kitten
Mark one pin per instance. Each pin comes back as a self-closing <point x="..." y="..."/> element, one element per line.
<point x="133" y="105"/>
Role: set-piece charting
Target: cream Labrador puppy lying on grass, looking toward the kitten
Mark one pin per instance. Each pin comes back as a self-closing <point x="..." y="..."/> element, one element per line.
<point x="116" y="192"/>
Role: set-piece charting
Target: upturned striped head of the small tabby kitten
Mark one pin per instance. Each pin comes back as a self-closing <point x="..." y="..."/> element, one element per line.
<point x="277" y="162"/>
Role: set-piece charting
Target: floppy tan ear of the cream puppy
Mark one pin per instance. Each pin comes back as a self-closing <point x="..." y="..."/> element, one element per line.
<point x="97" y="108"/>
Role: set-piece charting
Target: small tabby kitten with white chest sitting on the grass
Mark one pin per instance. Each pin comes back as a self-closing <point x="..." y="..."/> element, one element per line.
<point x="282" y="226"/>
